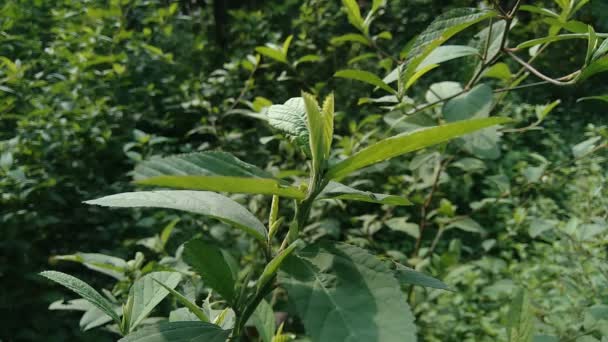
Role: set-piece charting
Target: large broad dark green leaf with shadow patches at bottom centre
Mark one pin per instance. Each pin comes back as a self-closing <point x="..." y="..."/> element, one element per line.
<point x="343" y="293"/>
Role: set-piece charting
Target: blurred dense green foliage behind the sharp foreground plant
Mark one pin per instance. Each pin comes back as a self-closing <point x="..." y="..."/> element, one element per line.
<point x="89" y="88"/>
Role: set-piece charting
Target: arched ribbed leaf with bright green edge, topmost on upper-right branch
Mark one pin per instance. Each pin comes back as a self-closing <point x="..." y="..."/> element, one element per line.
<point x="439" y="31"/>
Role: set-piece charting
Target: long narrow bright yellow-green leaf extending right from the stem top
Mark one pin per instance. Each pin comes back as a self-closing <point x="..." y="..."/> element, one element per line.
<point x="408" y="142"/>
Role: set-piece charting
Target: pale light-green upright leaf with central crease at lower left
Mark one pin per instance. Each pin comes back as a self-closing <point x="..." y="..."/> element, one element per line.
<point x="147" y="293"/>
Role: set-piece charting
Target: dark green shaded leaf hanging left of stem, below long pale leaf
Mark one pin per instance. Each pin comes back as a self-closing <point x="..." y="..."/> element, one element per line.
<point x="213" y="266"/>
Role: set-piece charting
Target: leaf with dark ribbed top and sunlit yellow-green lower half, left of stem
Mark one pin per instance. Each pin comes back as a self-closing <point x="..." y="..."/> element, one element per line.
<point x="214" y="171"/>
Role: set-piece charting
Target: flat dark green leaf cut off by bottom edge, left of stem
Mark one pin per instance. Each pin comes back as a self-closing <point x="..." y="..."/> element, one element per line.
<point x="179" y="332"/>
